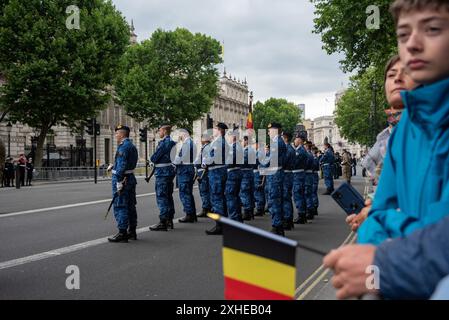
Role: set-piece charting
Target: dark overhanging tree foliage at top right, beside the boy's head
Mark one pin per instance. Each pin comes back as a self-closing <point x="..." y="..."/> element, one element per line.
<point x="343" y="29"/>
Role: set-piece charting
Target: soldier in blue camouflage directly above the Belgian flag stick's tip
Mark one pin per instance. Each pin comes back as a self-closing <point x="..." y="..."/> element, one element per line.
<point x="216" y="166"/>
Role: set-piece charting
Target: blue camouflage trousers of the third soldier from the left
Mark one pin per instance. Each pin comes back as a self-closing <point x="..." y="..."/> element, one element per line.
<point x="185" y="175"/>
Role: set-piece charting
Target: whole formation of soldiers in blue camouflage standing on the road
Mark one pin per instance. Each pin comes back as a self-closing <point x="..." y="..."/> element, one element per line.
<point x="236" y="180"/>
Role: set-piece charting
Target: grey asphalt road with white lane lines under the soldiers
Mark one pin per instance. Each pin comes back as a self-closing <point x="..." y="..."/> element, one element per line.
<point x="38" y="246"/>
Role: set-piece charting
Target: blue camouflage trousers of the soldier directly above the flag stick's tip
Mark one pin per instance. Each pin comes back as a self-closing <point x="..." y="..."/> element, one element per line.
<point x="217" y="183"/>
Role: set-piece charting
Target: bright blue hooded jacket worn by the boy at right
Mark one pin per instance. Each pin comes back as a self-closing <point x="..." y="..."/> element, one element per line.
<point x="413" y="189"/>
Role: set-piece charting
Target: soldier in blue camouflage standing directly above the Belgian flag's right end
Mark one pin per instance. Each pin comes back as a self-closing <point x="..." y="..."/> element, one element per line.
<point x="273" y="164"/>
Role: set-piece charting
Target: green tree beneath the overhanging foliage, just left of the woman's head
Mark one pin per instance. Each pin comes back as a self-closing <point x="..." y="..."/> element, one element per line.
<point x="353" y="114"/>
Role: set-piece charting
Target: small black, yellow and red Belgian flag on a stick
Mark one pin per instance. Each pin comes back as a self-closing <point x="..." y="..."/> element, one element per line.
<point x="257" y="265"/>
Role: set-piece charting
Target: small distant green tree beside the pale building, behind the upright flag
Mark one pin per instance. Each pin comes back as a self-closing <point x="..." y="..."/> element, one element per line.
<point x="276" y="110"/>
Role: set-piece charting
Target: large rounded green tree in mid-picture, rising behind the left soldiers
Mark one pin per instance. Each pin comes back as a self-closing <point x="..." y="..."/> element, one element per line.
<point x="170" y="78"/>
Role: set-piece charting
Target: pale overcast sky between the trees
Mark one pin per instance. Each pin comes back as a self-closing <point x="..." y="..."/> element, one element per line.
<point x="270" y="42"/>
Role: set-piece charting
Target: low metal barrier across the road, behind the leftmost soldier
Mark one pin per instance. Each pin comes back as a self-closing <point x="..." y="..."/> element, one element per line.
<point x="76" y="173"/>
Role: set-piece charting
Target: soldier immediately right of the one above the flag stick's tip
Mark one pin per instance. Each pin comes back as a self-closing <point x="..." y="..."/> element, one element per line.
<point x="234" y="162"/>
